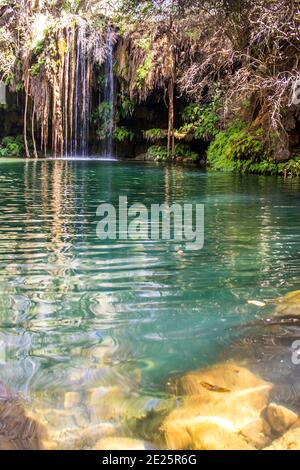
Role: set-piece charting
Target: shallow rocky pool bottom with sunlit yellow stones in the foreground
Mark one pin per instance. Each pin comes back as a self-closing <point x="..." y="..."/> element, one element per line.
<point x="248" y="401"/>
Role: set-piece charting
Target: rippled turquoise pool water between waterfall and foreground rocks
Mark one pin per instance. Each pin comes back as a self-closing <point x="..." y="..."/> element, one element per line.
<point x="80" y="317"/>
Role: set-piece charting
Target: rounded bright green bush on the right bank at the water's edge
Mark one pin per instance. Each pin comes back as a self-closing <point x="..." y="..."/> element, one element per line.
<point x="238" y="149"/>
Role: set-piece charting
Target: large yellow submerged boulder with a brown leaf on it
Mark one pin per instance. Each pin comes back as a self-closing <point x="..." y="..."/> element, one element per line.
<point x="218" y="404"/>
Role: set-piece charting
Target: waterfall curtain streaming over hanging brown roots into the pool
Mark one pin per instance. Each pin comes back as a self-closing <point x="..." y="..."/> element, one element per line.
<point x="72" y="95"/>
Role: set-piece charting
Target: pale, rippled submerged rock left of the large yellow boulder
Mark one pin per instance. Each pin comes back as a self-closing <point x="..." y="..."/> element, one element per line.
<point x="83" y="420"/>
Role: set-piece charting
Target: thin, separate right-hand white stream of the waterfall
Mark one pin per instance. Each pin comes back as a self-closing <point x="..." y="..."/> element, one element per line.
<point x="109" y="93"/>
